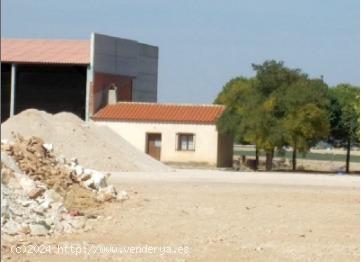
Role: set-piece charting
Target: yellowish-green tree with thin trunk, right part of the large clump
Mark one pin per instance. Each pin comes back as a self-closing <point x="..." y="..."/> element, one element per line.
<point x="305" y="117"/>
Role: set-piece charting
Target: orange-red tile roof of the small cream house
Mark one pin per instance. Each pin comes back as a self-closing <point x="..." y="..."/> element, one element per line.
<point x="152" y="112"/>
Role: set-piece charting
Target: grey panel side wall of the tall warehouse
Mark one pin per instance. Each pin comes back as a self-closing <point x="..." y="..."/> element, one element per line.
<point x="117" y="56"/>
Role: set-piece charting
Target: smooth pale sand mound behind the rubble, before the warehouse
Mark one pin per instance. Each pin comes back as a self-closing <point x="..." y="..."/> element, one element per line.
<point x="94" y="146"/>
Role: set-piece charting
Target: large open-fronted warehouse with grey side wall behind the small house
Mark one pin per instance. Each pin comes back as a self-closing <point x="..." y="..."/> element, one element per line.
<point x="75" y="75"/>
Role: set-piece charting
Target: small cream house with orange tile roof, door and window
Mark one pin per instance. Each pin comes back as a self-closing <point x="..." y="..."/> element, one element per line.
<point x="171" y="132"/>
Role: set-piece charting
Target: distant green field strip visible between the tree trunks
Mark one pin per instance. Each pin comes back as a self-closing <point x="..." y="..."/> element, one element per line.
<point x="309" y="155"/>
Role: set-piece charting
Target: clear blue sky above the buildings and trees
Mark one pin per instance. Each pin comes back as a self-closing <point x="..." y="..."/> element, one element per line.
<point x="203" y="44"/>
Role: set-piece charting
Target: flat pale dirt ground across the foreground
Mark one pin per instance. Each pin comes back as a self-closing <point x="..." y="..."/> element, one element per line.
<point x="205" y="215"/>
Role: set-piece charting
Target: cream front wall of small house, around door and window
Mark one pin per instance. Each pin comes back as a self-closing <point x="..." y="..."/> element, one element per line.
<point x="206" y="138"/>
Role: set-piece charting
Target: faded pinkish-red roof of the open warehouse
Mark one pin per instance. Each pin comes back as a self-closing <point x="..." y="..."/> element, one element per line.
<point x="45" y="51"/>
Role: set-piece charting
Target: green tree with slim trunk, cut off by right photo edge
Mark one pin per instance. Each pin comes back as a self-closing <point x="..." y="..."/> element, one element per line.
<point x="344" y="117"/>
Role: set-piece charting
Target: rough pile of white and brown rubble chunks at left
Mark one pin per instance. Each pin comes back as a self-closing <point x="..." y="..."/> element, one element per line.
<point x="43" y="194"/>
